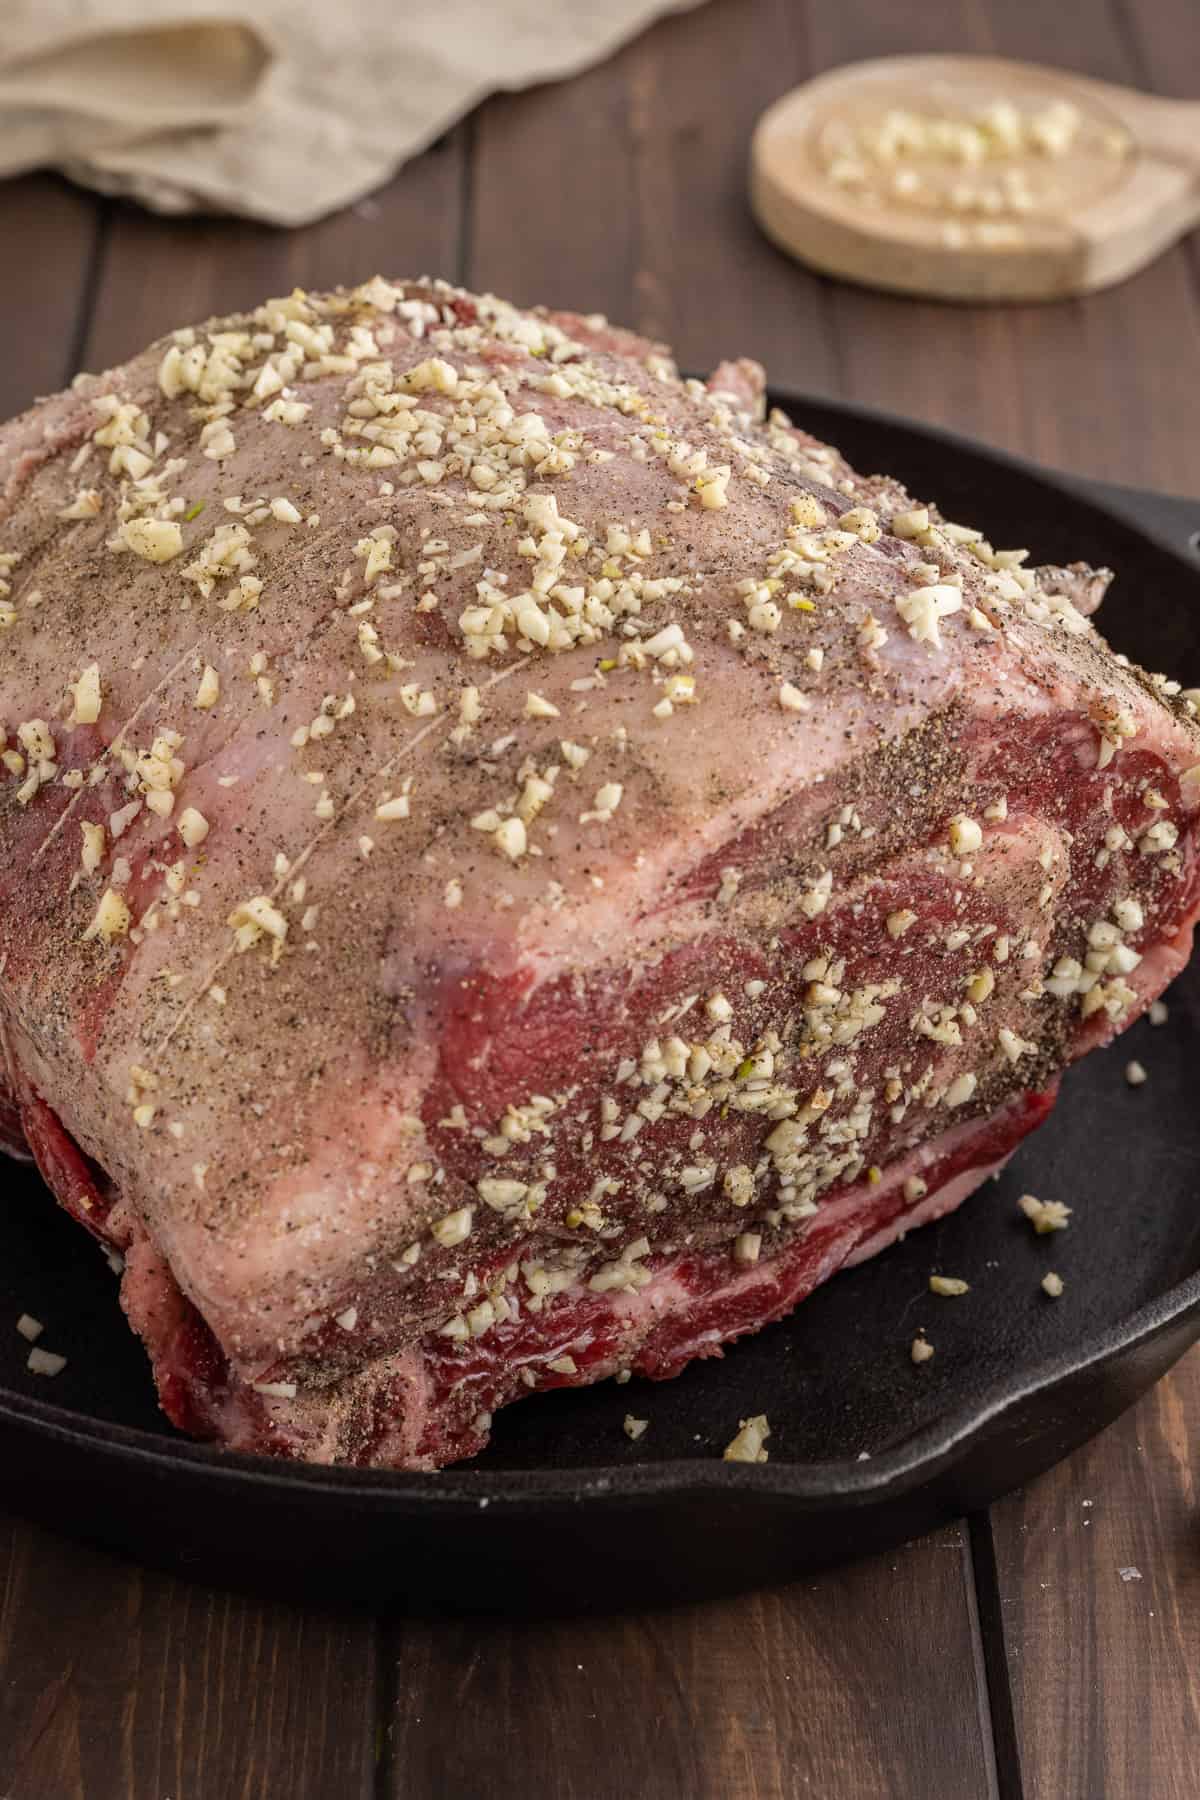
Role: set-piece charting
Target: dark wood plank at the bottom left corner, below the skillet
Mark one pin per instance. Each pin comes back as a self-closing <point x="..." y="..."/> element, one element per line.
<point x="120" y="1684"/>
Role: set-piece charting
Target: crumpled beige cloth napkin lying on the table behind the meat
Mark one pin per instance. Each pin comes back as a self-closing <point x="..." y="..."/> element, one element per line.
<point x="276" y="109"/>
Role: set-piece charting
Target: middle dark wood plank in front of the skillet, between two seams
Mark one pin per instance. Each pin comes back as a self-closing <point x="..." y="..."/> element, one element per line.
<point x="861" y="1684"/>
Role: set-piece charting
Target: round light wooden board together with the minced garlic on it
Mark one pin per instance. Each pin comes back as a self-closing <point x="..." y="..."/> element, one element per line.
<point x="976" y="179"/>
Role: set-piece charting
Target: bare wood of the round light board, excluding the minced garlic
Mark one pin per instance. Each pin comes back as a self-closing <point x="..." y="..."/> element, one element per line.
<point x="1124" y="192"/>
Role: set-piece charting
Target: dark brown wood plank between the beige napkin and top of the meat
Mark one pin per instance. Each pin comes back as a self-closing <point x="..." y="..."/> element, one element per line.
<point x="157" y="274"/>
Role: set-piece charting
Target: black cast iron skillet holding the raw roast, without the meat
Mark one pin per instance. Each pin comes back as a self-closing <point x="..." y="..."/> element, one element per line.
<point x="866" y="1450"/>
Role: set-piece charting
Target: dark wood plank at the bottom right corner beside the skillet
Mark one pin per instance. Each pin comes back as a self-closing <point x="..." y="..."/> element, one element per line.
<point x="1106" y="1668"/>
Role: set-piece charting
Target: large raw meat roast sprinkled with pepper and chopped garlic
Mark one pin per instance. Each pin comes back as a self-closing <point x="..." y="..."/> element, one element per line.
<point x="514" y="867"/>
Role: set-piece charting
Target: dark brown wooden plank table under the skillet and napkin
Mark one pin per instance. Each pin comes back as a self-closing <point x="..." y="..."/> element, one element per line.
<point x="1005" y="1655"/>
